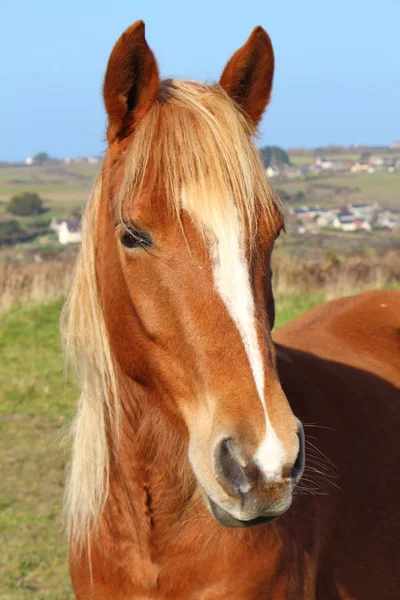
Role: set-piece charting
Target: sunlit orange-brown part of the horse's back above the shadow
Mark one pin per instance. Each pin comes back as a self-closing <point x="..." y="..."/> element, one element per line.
<point x="362" y="331"/>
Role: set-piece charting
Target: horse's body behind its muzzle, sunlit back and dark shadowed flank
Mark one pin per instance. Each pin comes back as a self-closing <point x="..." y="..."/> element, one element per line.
<point x="339" y="365"/>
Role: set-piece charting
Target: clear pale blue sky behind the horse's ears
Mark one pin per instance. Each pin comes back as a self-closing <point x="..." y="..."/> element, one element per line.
<point x="337" y="66"/>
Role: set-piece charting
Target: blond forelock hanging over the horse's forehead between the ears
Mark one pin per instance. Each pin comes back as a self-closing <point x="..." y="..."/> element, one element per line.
<point x="195" y="139"/>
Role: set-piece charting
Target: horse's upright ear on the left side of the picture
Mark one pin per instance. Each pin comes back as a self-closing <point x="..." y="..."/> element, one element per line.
<point x="131" y="83"/>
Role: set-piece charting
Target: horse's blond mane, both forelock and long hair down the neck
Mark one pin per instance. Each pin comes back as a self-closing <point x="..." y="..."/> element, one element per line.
<point x="194" y="142"/>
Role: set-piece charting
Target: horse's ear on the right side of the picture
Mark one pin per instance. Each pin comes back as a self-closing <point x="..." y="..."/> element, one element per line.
<point x="247" y="78"/>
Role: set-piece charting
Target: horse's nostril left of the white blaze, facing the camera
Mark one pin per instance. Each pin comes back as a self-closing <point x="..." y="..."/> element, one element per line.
<point x="228" y="471"/>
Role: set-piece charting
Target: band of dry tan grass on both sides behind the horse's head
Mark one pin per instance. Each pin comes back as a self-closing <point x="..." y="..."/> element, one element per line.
<point x="332" y="277"/>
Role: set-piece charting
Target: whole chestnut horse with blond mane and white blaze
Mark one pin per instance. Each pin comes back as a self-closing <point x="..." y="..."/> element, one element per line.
<point x="188" y="477"/>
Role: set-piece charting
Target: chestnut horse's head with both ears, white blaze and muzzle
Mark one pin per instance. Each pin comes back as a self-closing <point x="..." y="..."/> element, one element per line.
<point x="186" y="299"/>
